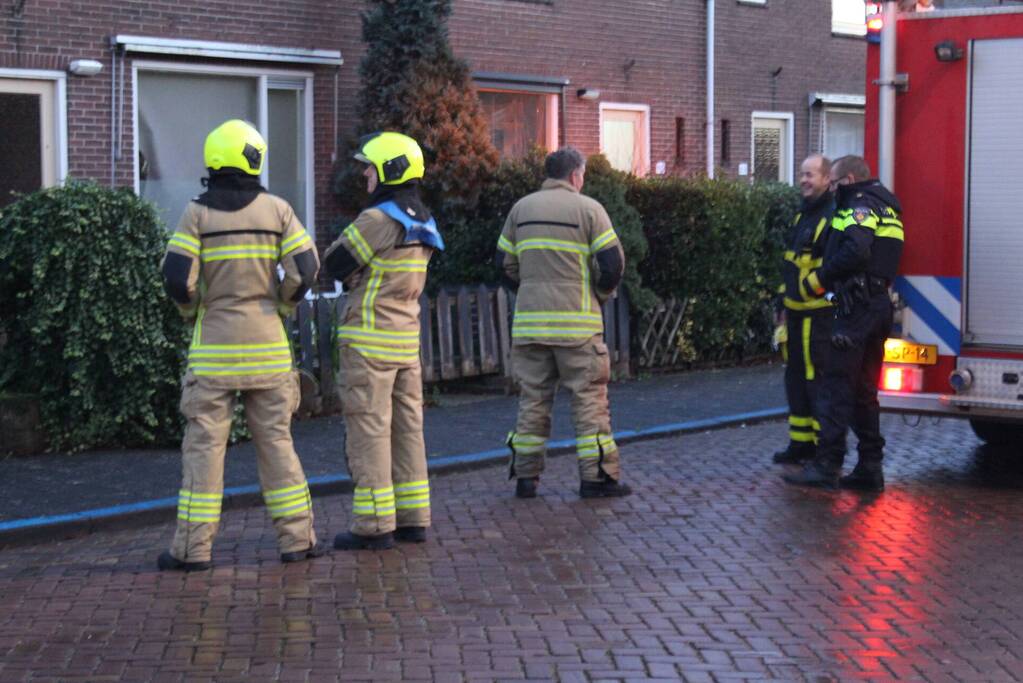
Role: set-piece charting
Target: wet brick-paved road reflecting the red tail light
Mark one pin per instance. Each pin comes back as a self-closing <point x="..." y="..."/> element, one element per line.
<point x="717" y="571"/>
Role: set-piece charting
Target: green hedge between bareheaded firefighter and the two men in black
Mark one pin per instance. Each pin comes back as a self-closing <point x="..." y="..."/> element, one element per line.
<point x="716" y="244"/>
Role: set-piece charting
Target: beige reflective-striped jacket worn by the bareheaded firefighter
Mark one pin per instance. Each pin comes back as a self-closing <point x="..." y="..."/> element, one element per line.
<point x="561" y="251"/>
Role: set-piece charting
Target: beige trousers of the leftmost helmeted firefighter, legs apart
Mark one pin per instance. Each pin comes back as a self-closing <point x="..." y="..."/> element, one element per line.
<point x="209" y="411"/>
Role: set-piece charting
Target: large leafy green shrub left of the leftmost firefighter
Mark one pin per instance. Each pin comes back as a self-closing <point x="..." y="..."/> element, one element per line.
<point x="87" y="325"/>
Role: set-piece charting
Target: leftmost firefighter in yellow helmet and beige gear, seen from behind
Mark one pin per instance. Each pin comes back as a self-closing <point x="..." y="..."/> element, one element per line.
<point x="221" y="270"/>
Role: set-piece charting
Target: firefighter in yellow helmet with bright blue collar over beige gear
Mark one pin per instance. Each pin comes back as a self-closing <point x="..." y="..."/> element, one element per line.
<point x="382" y="259"/>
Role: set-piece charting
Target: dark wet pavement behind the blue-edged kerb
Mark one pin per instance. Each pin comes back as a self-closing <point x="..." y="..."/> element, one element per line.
<point x="59" y="484"/>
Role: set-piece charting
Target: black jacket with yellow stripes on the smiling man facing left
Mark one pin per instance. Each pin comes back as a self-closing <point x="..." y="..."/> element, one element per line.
<point x="805" y="253"/>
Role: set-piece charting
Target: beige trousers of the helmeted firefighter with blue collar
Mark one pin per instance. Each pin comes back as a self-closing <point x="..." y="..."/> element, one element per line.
<point x="387" y="457"/>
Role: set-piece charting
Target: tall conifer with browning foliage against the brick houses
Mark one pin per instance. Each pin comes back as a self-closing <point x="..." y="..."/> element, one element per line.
<point x="413" y="83"/>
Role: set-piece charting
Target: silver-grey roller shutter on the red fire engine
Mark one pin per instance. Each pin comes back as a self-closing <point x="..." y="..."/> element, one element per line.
<point x="995" y="241"/>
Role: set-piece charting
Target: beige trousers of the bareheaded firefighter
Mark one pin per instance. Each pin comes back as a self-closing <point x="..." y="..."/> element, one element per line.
<point x="585" y="371"/>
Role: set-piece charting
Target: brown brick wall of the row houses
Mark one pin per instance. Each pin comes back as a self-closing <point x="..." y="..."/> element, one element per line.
<point x="644" y="52"/>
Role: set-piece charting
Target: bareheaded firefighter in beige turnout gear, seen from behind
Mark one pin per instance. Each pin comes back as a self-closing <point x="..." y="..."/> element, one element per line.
<point x="560" y="251"/>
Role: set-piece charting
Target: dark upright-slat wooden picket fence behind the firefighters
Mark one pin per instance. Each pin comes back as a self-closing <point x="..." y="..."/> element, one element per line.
<point x="465" y="333"/>
